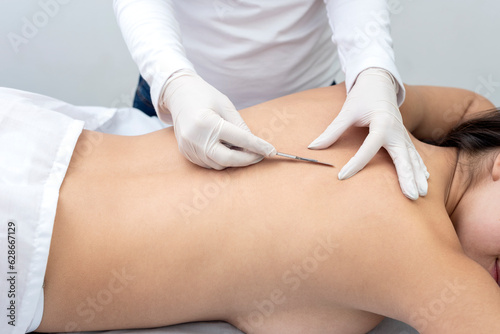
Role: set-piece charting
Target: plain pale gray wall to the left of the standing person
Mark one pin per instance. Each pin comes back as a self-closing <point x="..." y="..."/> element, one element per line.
<point x="77" y="54"/>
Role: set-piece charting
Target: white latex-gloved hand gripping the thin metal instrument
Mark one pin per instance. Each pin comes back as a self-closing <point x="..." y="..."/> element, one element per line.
<point x="202" y="118"/>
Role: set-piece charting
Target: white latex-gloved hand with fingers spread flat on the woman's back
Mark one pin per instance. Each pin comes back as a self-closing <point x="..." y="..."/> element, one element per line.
<point x="372" y="102"/>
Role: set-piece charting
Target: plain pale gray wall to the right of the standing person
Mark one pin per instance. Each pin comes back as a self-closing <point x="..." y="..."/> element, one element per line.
<point x="449" y="43"/>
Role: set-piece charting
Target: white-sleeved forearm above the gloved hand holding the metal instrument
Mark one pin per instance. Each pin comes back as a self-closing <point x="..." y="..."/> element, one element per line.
<point x="152" y="35"/>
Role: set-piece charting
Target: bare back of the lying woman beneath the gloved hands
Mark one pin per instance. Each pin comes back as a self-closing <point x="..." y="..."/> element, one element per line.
<point x="144" y="238"/>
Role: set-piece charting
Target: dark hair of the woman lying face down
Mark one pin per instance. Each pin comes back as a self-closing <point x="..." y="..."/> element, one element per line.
<point x="475" y="136"/>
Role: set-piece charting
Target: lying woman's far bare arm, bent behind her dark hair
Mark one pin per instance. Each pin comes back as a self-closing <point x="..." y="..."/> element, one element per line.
<point x="430" y="112"/>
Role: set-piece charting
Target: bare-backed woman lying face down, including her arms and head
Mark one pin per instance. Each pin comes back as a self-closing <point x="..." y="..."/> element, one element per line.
<point x="282" y="246"/>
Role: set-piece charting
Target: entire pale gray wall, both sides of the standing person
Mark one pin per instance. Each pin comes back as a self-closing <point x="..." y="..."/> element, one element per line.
<point x="77" y="54"/>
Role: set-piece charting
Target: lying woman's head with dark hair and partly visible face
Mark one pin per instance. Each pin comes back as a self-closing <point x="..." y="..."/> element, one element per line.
<point x="476" y="218"/>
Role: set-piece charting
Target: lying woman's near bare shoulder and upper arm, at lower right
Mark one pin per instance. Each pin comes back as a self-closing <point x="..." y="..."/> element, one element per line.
<point x="429" y="283"/>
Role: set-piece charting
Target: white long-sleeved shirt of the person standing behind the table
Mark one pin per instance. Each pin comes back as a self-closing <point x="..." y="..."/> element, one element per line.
<point x="257" y="50"/>
